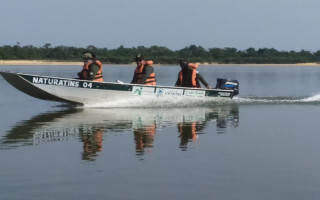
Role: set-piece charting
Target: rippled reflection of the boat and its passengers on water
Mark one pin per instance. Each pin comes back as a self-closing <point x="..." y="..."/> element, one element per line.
<point x="89" y="126"/>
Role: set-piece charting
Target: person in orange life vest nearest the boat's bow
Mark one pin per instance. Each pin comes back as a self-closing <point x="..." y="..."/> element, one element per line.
<point x="92" y="68"/>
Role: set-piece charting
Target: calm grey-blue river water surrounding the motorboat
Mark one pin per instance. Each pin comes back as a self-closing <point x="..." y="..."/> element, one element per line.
<point x="264" y="144"/>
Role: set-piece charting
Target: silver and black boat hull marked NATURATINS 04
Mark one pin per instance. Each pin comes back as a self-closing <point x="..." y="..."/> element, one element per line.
<point x="75" y="91"/>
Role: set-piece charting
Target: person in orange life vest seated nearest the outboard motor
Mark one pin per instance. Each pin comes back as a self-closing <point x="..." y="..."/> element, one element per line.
<point x="189" y="76"/>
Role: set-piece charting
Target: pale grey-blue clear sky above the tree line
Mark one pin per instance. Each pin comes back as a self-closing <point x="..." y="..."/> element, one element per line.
<point x="281" y="24"/>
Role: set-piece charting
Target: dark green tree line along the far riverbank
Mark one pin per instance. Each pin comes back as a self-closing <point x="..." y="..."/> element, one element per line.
<point x="159" y="54"/>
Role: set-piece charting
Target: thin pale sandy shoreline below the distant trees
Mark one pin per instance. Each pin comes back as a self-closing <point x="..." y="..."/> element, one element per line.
<point x="47" y="62"/>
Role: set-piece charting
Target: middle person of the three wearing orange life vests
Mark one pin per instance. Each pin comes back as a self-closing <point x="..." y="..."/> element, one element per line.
<point x="144" y="72"/>
